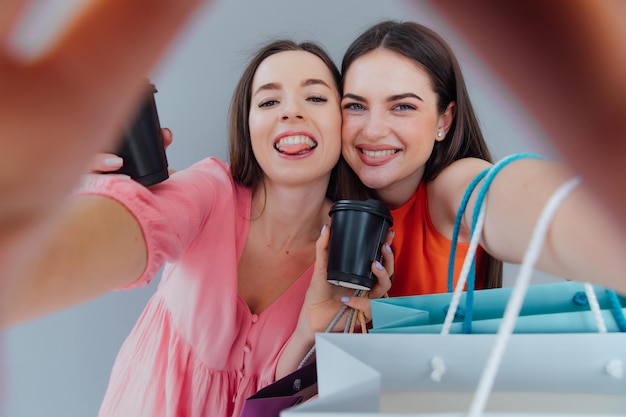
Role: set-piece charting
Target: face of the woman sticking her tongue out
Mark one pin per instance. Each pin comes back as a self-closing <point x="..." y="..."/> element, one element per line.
<point x="295" y="118"/>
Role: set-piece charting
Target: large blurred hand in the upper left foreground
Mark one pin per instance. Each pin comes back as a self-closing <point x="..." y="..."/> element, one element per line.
<point x="58" y="109"/>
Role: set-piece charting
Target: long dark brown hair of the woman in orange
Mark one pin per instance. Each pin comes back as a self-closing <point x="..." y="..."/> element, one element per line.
<point x="431" y="52"/>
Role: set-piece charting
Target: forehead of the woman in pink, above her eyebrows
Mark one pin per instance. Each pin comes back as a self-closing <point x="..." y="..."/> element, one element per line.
<point x="291" y="67"/>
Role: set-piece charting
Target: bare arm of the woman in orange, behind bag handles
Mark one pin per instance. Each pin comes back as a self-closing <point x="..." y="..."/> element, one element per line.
<point x="582" y="243"/>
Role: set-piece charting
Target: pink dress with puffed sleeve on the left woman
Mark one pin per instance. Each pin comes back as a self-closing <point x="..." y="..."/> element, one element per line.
<point x="196" y="350"/>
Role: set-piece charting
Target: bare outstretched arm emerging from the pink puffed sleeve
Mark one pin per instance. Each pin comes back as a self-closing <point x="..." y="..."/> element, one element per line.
<point x="95" y="246"/>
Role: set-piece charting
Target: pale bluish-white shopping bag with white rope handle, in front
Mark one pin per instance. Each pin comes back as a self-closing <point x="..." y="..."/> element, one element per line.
<point x="427" y="375"/>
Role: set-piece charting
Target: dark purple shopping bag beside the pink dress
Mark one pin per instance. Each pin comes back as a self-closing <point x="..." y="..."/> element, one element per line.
<point x="288" y="391"/>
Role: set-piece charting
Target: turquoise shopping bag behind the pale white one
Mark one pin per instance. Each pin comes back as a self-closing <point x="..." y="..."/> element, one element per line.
<point x="556" y="307"/>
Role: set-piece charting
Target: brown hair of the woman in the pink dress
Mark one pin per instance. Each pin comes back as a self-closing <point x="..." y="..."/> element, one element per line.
<point x="245" y="169"/>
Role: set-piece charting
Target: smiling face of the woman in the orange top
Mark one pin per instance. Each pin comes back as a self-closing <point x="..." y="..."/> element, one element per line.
<point x="390" y="123"/>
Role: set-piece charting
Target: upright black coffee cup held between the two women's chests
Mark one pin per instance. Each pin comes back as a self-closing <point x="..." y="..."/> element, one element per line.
<point x="358" y="230"/>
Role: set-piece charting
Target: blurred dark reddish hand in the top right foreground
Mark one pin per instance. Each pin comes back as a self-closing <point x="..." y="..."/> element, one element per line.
<point x="566" y="62"/>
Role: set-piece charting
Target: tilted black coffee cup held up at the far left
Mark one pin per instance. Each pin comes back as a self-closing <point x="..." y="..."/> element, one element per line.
<point x="142" y="147"/>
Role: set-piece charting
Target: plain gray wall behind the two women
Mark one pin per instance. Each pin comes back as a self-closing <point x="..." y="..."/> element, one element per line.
<point x="59" y="365"/>
